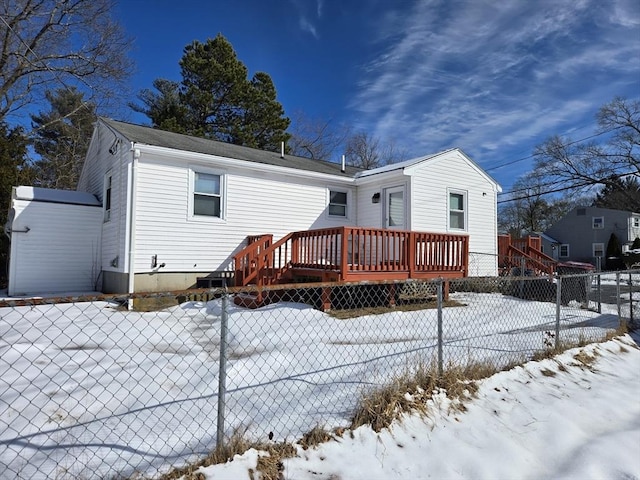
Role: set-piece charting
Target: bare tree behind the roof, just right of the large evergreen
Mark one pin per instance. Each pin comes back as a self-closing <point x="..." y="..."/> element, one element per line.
<point x="315" y="138"/>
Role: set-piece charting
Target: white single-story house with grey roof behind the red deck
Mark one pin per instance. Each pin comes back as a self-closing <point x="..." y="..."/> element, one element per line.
<point x="175" y="207"/>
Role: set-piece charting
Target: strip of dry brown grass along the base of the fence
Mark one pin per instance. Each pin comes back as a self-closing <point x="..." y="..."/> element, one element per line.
<point x="406" y="393"/>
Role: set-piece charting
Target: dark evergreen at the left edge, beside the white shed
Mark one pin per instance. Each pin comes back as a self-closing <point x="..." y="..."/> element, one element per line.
<point x="14" y="171"/>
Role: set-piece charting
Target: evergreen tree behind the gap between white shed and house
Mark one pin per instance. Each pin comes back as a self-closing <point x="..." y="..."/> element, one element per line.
<point x="62" y="138"/>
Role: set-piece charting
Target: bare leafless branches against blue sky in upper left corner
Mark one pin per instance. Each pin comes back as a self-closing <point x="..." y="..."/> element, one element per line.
<point x="47" y="44"/>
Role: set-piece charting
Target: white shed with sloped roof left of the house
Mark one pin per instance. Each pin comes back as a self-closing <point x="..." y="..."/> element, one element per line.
<point x="55" y="241"/>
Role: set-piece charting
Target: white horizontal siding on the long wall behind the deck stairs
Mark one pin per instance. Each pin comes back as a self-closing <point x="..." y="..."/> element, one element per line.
<point x="252" y="205"/>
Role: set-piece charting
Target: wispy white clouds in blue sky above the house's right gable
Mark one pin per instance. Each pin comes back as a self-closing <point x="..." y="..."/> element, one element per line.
<point x="489" y="76"/>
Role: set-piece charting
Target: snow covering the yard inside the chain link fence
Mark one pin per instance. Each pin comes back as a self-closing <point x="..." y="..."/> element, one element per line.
<point x="91" y="391"/>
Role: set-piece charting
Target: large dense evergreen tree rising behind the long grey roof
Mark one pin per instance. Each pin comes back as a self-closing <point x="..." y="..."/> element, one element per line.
<point x="216" y="100"/>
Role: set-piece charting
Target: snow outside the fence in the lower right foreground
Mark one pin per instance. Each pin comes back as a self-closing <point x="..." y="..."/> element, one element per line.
<point x="576" y="416"/>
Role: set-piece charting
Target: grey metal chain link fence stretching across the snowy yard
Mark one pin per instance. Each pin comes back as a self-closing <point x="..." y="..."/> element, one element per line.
<point x="90" y="388"/>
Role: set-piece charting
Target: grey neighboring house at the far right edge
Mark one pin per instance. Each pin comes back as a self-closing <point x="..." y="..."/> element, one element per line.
<point x="583" y="234"/>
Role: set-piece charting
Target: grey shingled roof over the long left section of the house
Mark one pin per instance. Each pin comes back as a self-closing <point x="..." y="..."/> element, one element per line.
<point x="177" y="141"/>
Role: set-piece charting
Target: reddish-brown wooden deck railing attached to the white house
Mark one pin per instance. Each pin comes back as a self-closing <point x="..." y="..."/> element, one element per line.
<point x="354" y="253"/>
